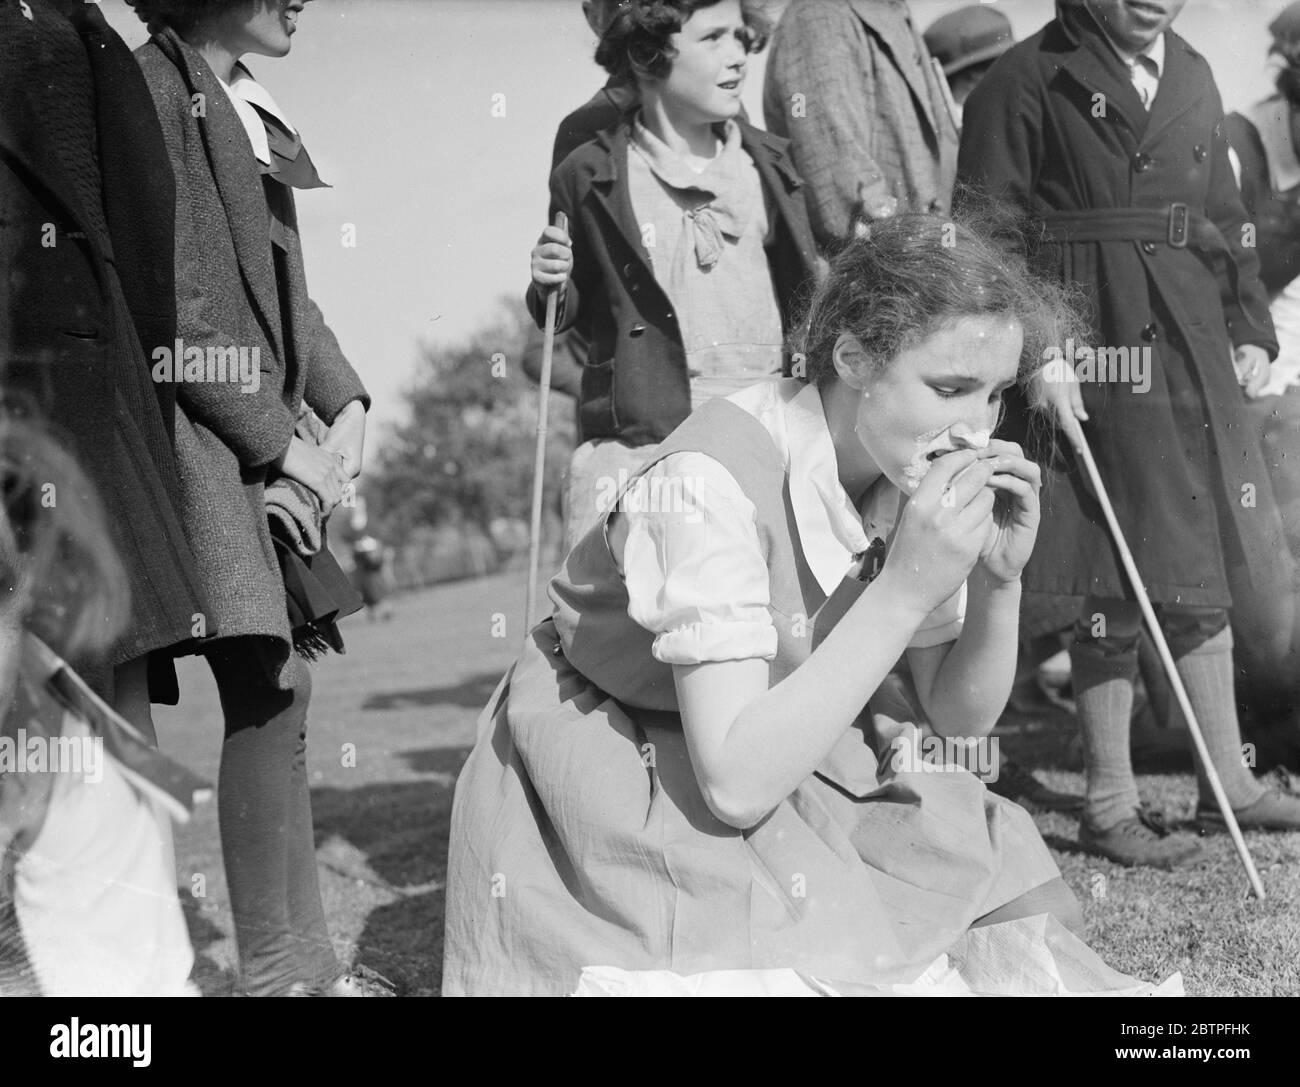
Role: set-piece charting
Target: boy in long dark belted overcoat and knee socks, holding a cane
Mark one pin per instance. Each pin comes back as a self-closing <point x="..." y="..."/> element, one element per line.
<point x="1107" y="128"/>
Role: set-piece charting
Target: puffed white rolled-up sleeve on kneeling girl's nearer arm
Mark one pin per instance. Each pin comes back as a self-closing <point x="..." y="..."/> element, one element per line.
<point x="695" y="566"/>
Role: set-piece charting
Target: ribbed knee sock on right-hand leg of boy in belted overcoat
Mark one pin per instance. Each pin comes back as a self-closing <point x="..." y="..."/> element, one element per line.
<point x="1207" y="673"/>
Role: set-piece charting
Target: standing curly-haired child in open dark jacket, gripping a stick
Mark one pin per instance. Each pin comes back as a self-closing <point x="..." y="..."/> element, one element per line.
<point x="688" y="240"/>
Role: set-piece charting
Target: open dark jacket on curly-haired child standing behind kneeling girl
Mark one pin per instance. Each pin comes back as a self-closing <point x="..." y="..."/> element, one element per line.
<point x="635" y="386"/>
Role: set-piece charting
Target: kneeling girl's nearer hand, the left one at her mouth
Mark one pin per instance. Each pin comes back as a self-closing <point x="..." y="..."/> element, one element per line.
<point x="943" y="530"/>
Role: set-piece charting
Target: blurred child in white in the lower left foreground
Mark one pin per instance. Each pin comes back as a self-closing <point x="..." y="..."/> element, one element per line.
<point x="88" y="886"/>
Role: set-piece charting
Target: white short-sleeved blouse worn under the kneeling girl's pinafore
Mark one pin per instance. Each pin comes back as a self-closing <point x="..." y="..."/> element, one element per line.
<point x="694" y="564"/>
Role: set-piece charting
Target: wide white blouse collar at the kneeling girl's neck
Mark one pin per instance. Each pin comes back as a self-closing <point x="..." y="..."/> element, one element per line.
<point x="831" y="534"/>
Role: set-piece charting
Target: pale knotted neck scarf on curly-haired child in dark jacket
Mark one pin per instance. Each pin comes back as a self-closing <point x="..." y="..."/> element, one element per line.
<point x="720" y="203"/>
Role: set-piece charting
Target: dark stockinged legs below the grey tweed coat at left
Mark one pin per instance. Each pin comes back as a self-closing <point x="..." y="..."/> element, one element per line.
<point x="267" y="839"/>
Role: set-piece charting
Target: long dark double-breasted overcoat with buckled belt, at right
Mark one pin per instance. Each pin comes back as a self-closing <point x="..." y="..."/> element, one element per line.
<point x="1059" y="128"/>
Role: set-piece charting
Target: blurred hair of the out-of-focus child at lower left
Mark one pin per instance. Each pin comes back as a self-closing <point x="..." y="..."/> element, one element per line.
<point x="60" y="577"/>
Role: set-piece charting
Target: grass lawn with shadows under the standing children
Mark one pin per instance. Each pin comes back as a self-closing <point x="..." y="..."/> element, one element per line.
<point x="393" y="721"/>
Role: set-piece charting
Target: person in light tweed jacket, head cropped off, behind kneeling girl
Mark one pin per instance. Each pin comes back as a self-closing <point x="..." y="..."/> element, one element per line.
<point x="853" y="88"/>
